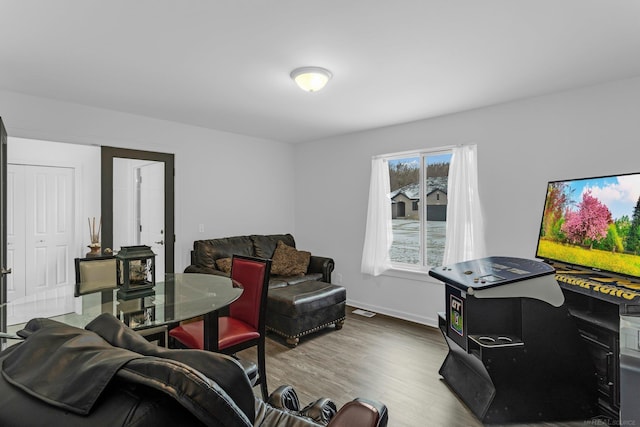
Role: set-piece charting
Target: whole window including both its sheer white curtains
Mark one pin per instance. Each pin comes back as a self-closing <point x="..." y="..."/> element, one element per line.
<point x="429" y="216"/>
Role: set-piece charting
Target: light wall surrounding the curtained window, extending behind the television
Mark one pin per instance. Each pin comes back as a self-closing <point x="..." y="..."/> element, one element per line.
<point x="521" y="146"/>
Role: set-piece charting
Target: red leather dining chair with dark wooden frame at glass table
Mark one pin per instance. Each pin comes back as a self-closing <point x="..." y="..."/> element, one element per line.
<point x="244" y="327"/>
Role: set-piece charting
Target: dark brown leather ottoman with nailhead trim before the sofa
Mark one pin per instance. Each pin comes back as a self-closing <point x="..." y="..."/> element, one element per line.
<point x="303" y="308"/>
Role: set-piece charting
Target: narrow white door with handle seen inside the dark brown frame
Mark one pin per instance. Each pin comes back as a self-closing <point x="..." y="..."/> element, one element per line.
<point x="151" y="208"/>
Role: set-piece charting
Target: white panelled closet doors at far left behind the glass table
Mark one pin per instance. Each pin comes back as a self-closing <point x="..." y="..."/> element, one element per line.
<point x="40" y="220"/>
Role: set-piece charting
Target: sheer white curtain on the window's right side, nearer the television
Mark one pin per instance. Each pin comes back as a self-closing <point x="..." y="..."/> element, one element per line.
<point x="465" y="226"/>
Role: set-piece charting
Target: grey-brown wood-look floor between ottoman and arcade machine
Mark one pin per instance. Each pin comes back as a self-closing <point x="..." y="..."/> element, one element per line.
<point x="381" y="358"/>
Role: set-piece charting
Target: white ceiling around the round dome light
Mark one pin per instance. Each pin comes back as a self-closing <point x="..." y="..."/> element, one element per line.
<point x="225" y="64"/>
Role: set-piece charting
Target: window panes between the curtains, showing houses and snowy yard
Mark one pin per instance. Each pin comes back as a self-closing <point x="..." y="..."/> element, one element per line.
<point x="418" y="184"/>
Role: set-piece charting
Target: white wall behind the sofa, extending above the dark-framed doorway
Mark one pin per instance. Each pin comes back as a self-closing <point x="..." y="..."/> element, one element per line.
<point x="231" y="184"/>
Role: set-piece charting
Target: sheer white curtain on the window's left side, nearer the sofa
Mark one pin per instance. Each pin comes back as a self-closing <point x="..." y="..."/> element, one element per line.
<point x="379" y="234"/>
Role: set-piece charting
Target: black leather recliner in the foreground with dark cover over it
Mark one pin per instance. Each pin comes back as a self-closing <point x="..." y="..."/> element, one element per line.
<point x="108" y="375"/>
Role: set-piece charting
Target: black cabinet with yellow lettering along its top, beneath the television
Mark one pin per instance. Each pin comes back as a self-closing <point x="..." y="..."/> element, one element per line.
<point x="606" y="309"/>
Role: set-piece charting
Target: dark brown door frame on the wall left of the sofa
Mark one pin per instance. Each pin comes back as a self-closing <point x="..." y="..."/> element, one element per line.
<point x="107" y="156"/>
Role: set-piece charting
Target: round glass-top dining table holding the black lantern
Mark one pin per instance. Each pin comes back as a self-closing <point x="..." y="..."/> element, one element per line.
<point x="181" y="296"/>
